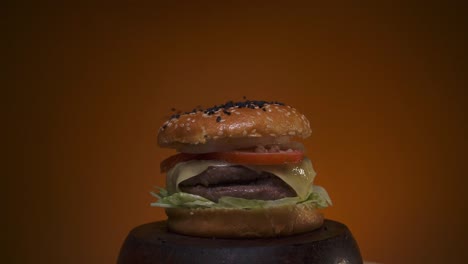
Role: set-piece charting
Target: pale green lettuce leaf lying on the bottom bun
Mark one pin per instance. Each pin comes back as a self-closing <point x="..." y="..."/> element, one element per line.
<point x="318" y="197"/>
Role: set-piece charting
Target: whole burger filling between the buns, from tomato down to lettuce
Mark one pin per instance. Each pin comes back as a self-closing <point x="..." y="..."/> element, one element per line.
<point x="239" y="179"/>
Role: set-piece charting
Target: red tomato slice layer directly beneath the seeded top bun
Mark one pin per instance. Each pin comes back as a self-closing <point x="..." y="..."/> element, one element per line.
<point x="238" y="157"/>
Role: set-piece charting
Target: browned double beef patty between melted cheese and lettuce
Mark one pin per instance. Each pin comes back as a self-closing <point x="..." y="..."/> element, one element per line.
<point x="237" y="181"/>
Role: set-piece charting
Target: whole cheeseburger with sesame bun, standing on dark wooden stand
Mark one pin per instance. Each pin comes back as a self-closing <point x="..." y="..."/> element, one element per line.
<point x="239" y="172"/>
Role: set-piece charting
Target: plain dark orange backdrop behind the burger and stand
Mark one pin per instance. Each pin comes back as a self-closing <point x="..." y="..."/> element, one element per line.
<point x="383" y="87"/>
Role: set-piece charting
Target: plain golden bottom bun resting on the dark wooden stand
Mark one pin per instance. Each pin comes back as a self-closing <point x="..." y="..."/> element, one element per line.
<point x="244" y="223"/>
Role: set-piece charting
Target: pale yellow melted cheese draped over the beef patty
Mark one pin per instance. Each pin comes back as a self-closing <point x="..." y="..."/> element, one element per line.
<point x="299" y="176"/>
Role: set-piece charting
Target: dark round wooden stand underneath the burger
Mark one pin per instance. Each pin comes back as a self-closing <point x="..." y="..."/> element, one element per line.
<point x="333" y="243"/>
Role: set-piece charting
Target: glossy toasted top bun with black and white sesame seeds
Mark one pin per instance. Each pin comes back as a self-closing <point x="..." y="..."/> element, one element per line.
<point x="236" y="121"/>
